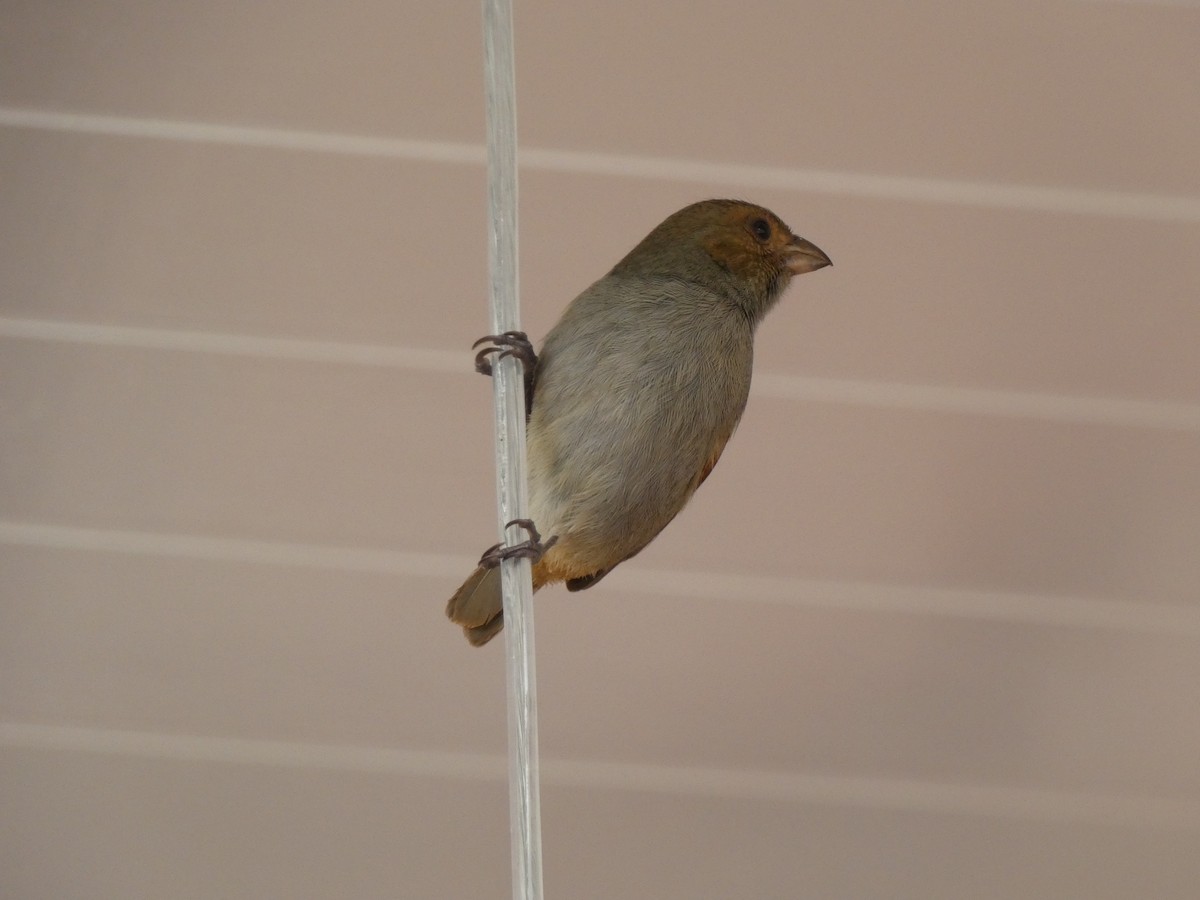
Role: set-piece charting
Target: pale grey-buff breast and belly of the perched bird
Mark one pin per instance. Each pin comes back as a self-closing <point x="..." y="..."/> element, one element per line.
<point x="627" y="418"/>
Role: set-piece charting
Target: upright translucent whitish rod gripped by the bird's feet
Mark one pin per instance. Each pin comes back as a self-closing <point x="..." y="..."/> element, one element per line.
<point x="512" y="494"/>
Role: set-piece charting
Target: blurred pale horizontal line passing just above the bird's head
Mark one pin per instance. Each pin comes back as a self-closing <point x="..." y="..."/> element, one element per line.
<point x="1127" y="205"/>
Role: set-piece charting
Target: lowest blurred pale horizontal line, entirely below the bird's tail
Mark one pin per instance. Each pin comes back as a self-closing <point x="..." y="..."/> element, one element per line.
<point x="892" y="794"/>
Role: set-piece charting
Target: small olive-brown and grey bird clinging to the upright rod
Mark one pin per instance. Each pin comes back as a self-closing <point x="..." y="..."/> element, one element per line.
<point x="637" y="392"/>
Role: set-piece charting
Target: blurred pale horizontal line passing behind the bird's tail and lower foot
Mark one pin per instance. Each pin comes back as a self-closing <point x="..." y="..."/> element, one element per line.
<point x="1124" y="616"/>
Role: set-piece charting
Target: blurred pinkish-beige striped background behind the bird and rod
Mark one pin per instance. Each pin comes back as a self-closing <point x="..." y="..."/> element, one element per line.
<point x="931" y="631"/>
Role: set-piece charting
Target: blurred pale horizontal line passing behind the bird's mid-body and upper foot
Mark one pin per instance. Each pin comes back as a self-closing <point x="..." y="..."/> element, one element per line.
<point x="1165" y="416"/>
